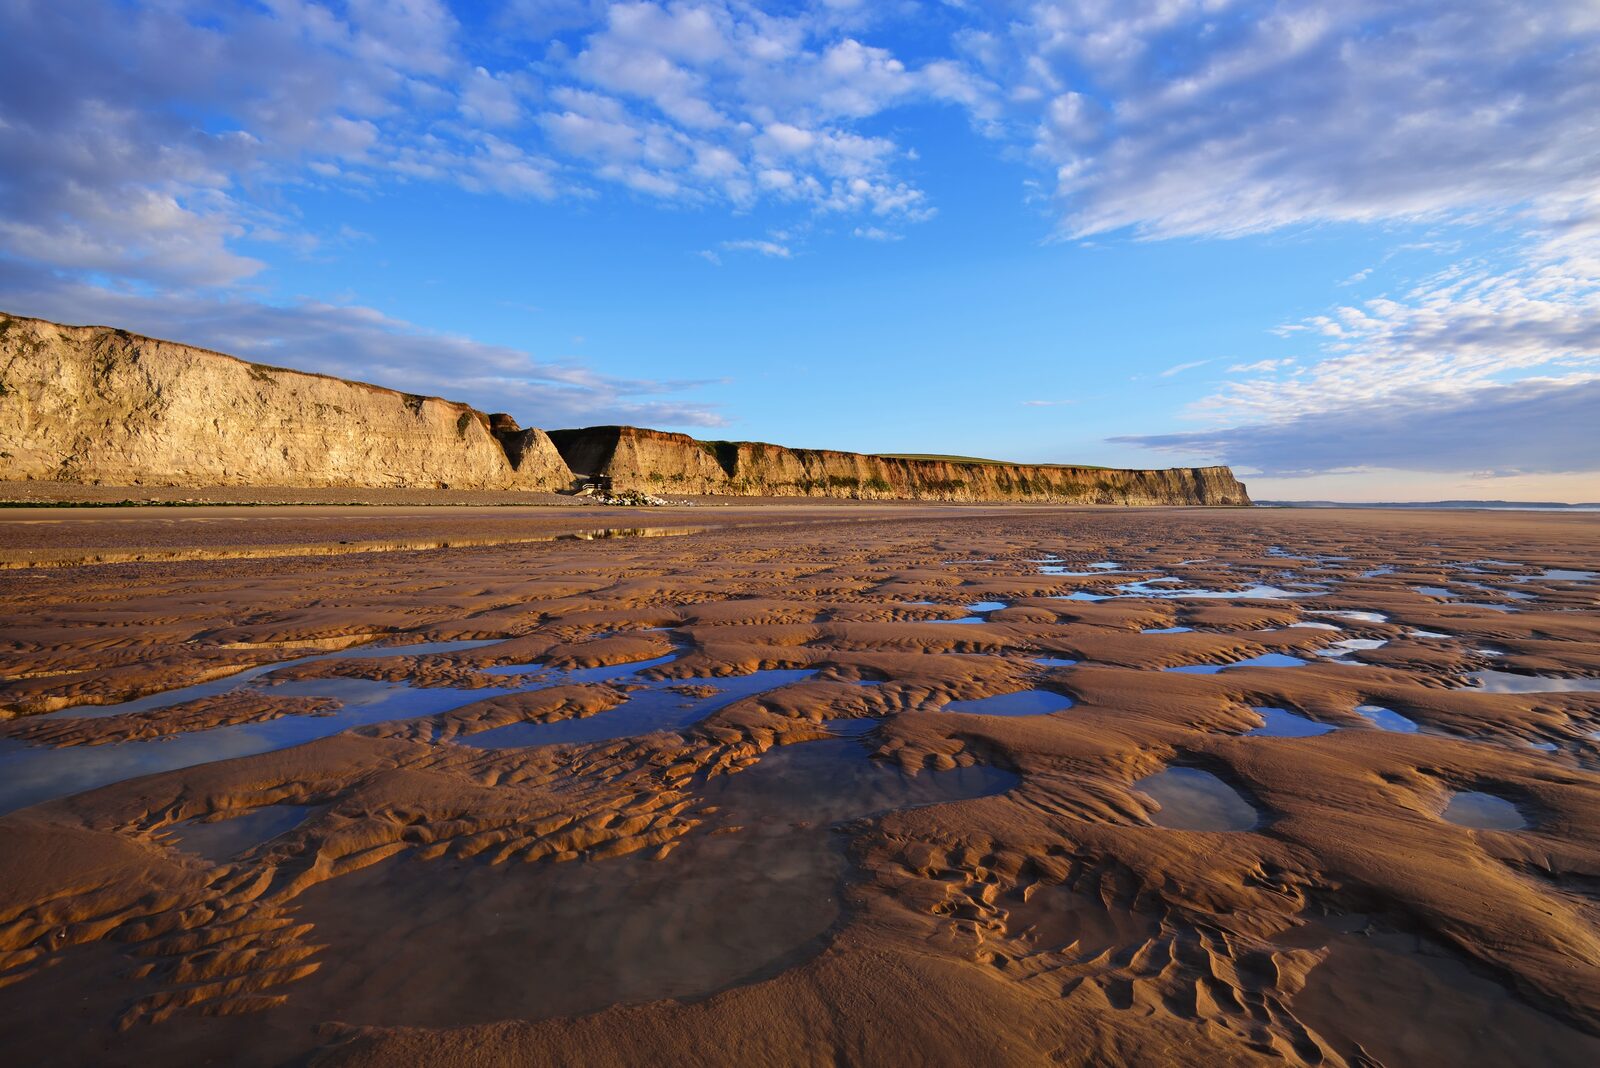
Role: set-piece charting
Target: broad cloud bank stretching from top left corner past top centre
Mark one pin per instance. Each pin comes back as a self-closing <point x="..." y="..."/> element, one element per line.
<point x="148" y="141"/>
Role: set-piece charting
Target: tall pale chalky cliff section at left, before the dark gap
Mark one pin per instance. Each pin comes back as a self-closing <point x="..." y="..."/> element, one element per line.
<point x="87" y="404"/>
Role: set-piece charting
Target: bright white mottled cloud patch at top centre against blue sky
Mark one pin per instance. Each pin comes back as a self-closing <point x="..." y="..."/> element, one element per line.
<point x="726" y="103"/>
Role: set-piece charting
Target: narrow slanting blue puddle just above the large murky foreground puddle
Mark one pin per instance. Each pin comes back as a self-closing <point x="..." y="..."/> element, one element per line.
<point x="652" y="709"/>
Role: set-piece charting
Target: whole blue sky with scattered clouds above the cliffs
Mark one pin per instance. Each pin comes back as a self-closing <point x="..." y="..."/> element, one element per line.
<point x="1351" y="249"/>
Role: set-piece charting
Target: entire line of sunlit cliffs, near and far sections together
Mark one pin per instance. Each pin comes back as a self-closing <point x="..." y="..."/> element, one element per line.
<point x="100" y="405"/>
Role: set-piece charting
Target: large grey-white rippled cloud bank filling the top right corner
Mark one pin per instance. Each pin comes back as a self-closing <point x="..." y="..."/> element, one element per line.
<point x="1225" y="118"/>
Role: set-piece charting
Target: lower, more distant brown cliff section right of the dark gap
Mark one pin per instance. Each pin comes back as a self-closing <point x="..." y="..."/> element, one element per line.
<point x="673" y="463"/>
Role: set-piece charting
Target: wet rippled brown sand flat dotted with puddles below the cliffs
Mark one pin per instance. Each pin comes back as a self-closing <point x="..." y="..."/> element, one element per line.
<point x="479" y="848"/>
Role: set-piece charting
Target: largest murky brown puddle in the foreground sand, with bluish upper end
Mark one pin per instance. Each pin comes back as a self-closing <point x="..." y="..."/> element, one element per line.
<point x="439" y="944"/>
